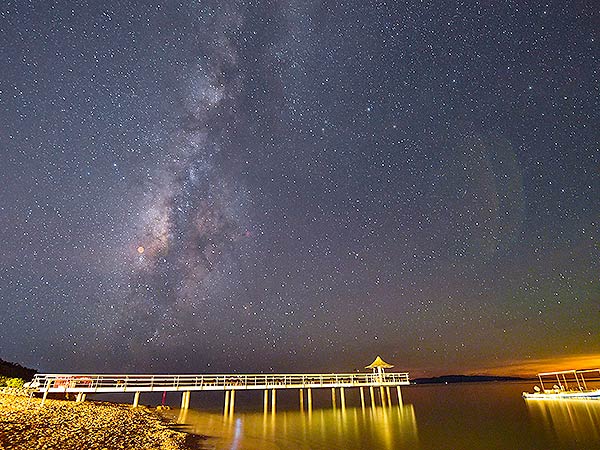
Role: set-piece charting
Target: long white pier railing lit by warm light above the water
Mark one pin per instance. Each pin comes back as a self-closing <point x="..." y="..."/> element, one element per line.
<point x="146" y="383"/>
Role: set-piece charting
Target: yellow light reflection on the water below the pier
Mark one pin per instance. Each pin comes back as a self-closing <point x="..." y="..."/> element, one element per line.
<point x="382" y="427"/>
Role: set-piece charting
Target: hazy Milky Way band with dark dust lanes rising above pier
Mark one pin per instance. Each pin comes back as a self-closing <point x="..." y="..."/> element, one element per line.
<point x="193" y="217"/>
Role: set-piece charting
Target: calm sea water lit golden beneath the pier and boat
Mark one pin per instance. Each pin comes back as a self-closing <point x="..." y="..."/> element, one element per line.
<point x="454" y="416"/>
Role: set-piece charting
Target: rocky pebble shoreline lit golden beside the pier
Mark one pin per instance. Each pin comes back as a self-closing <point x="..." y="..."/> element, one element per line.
<point x="63" y="424"/>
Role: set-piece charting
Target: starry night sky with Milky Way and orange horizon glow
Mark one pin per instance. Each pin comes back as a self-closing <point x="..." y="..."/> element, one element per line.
<point x="298" y="186"/>
